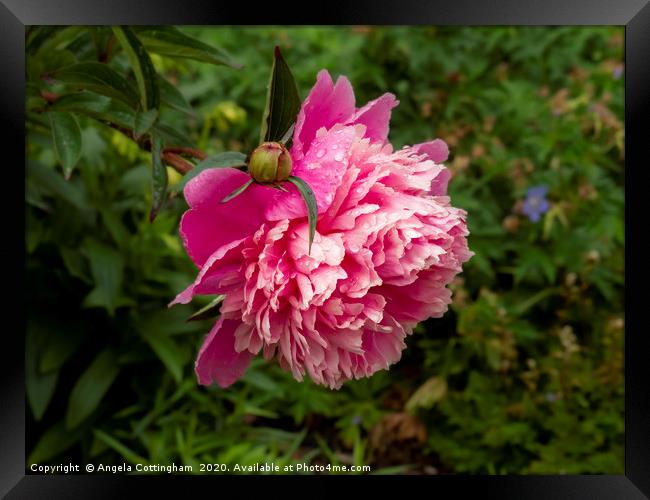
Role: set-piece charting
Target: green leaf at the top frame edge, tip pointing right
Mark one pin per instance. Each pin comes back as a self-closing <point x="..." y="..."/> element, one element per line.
<point x="169" y="41"/>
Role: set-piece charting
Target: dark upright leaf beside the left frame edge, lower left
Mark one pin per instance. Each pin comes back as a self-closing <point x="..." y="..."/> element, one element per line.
<point x="39" y="385"/>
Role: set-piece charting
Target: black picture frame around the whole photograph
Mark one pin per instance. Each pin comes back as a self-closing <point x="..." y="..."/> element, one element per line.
<point x="633" y="14"/>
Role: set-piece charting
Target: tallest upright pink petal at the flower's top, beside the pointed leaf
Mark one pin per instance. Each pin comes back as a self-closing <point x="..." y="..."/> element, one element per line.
<point x="326" y="105"/>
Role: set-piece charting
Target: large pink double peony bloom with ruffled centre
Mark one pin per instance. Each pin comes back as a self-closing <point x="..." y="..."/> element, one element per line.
<point x="387" y="244"/>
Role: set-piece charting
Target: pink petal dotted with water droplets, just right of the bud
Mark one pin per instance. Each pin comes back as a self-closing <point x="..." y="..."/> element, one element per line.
<point x="322" y="168"/>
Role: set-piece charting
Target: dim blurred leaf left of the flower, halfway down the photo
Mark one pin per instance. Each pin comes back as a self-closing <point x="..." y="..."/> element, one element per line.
<point x="107" y="267"/>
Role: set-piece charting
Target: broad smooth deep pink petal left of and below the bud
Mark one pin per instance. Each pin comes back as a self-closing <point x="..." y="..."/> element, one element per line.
<point x="210" y="224"/>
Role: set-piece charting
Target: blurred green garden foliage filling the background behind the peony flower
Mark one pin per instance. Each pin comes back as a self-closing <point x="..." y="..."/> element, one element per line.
<point x="524" y="374"/>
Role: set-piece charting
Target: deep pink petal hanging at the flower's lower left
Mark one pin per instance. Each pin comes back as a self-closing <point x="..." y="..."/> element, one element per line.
<point x="218" y="361"/>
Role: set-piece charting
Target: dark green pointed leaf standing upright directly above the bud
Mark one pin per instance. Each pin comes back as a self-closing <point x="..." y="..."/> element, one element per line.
<point x="282" y="101"/>
